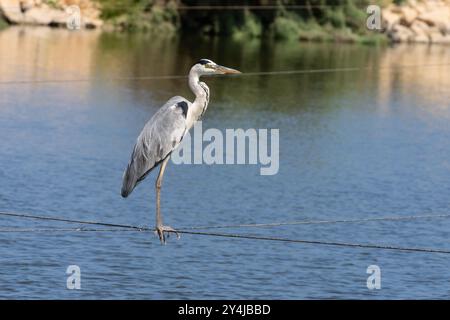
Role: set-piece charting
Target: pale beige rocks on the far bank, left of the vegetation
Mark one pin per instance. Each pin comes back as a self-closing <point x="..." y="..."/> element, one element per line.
<point x="50" y="13"/>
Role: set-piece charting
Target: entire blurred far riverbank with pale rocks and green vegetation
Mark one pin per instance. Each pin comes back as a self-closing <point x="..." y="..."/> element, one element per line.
<point x="411" y="21"/>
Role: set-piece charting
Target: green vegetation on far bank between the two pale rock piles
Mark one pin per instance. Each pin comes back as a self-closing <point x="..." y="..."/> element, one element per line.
<point x="315" y="20"/>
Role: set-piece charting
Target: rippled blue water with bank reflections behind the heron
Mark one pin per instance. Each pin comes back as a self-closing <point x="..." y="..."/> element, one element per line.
<point x="356" y="144"/>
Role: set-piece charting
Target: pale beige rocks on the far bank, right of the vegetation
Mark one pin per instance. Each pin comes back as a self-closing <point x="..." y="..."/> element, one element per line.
<point x="418" y="21"/>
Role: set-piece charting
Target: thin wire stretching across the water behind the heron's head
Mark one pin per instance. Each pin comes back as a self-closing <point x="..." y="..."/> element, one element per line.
<point x="262" y="73"/>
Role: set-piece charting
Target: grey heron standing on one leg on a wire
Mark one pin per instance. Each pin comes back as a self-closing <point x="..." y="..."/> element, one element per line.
<point x="163" y="133"/>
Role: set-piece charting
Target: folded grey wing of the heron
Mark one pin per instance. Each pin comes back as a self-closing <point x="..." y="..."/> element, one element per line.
<point x="160" y="136"/>
